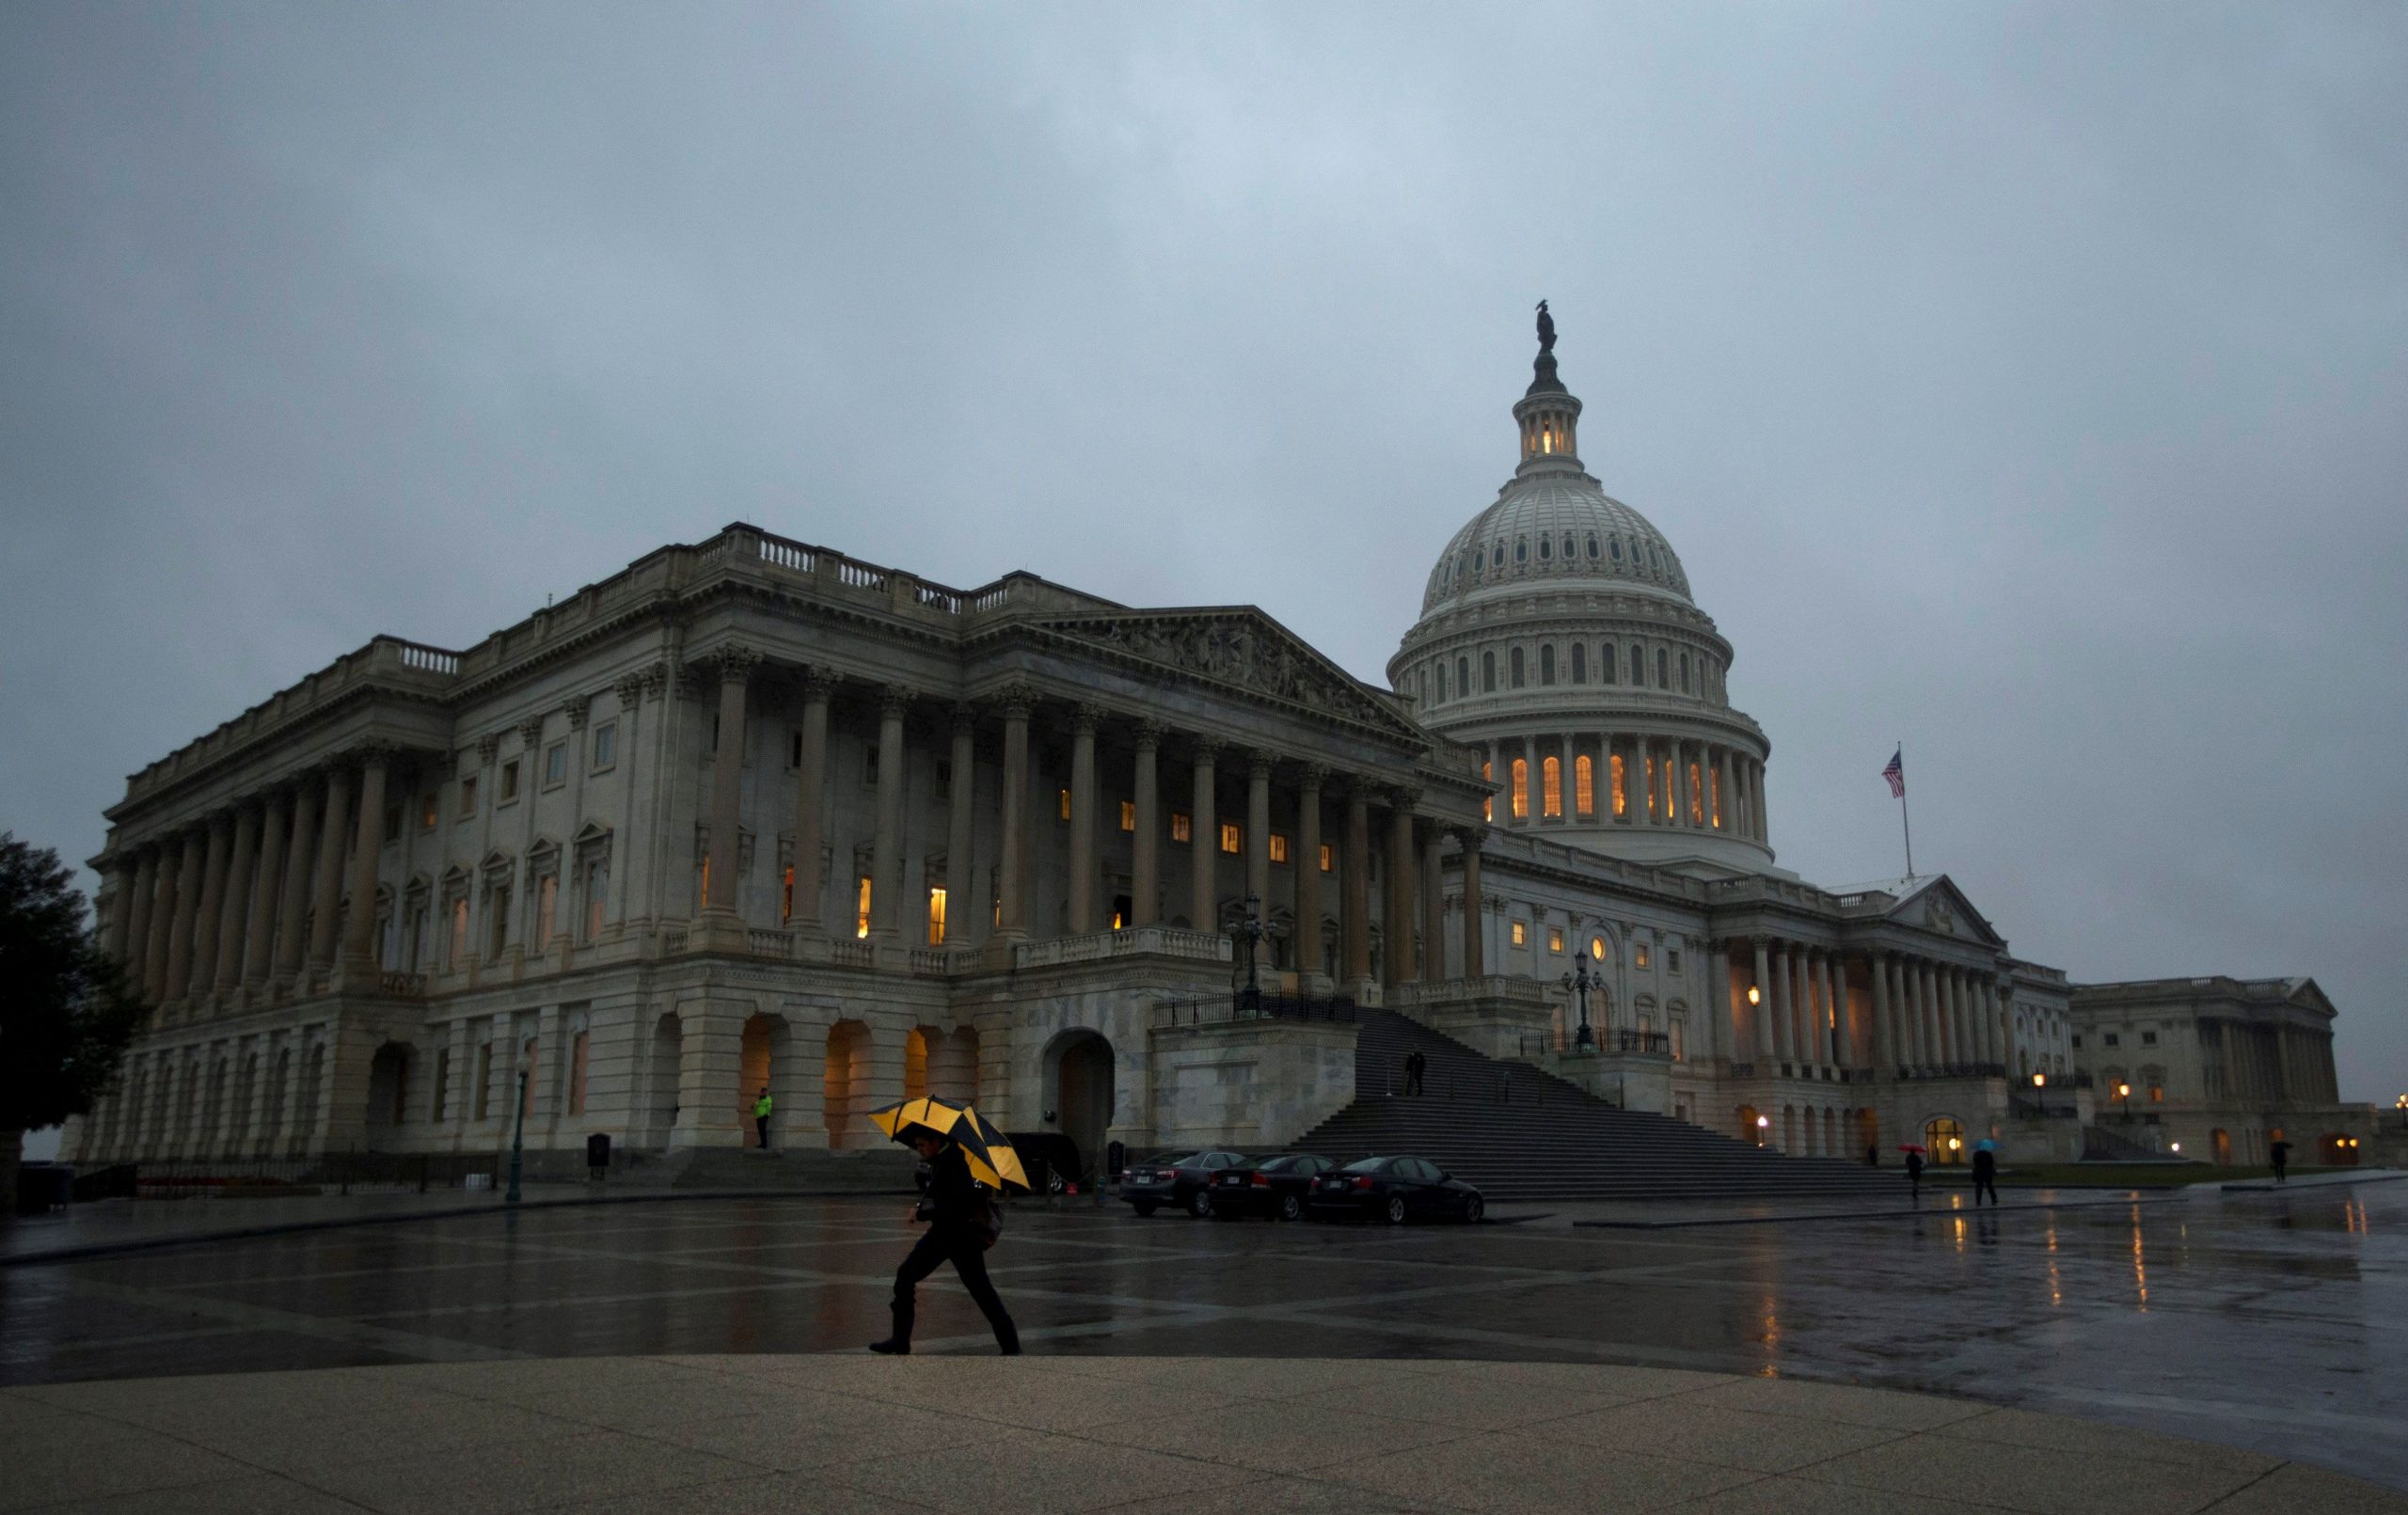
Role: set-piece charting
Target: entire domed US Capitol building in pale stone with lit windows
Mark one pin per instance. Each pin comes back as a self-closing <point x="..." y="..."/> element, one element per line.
<point x="752" y="815"/>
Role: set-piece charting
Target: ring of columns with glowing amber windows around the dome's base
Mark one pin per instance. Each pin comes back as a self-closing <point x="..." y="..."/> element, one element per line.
<point x="1629" y="779"/>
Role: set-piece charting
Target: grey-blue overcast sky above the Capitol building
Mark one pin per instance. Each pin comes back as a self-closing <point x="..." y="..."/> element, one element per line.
<point x="2024" y="384"/>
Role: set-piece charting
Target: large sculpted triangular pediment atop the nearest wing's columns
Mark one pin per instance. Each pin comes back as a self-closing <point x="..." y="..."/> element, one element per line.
<point x="1244" y="649"/>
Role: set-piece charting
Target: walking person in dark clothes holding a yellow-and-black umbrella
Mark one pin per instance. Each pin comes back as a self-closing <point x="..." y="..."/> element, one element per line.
<point x="969" y="1165"/>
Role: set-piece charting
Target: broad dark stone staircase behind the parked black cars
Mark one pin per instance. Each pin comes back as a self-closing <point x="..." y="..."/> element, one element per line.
<point x="1521" y="1133"/>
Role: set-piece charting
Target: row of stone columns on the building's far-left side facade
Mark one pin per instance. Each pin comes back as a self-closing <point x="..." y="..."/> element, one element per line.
<point x="223" y="907"/>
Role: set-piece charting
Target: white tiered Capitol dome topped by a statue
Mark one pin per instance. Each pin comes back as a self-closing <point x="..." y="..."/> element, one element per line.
<point x="1559" y="639"/>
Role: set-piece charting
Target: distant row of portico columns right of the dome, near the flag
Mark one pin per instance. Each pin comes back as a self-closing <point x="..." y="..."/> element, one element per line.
<point x="1918" y="1013"/>
